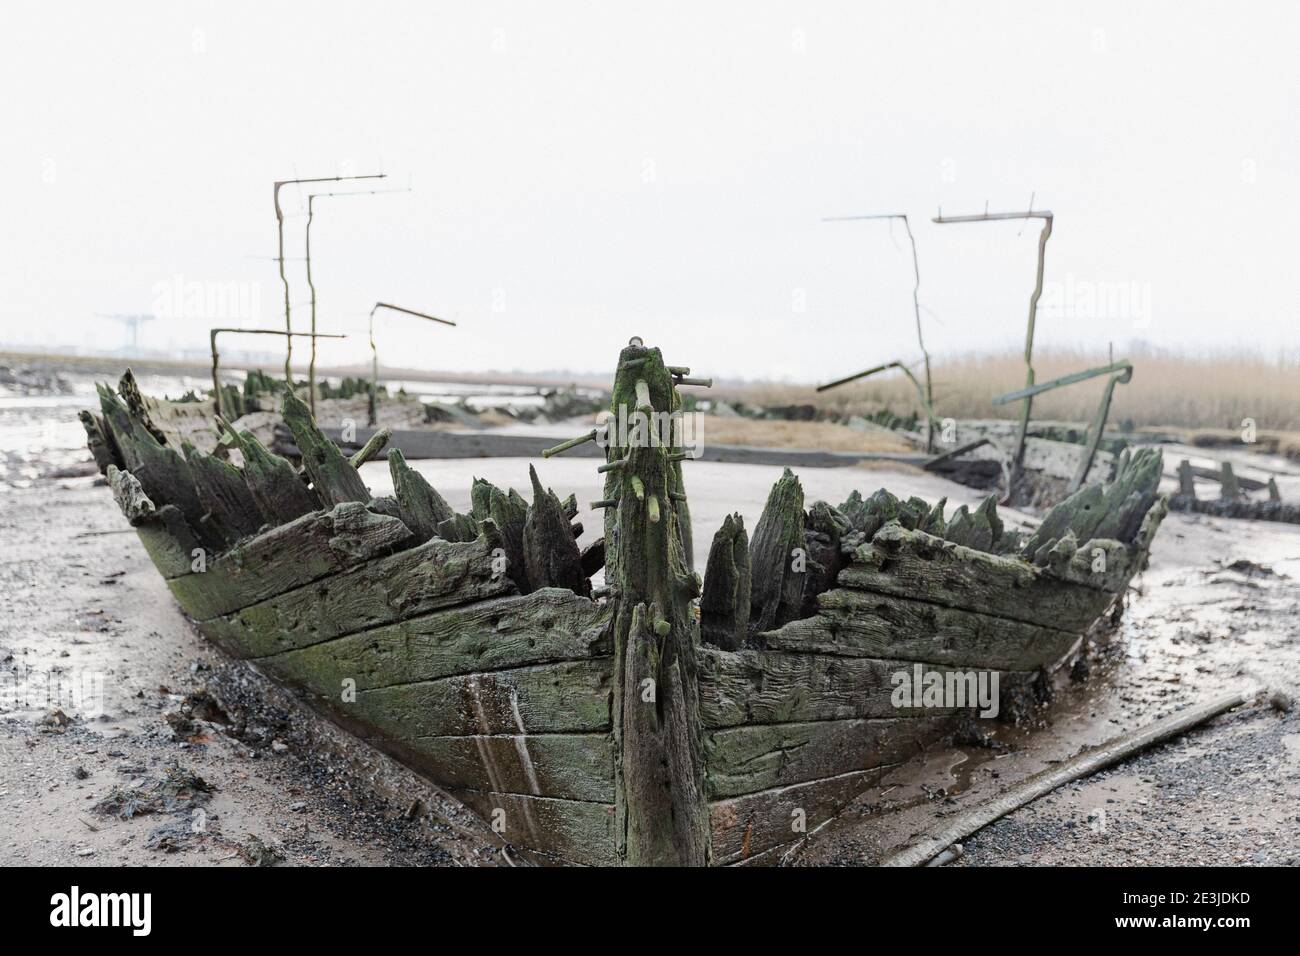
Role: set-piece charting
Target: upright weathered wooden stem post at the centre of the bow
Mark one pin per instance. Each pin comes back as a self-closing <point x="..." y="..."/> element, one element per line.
<point x="661" y="811"/>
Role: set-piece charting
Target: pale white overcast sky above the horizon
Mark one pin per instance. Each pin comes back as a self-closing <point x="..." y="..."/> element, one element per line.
<point x="588" y="172"/>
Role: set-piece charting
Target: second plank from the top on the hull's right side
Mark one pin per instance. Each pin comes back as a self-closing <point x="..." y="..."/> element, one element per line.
<point x="856" y="624"/>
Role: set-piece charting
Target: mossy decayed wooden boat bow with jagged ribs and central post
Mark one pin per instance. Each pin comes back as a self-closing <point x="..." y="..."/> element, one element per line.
<point x="668" y="717"/>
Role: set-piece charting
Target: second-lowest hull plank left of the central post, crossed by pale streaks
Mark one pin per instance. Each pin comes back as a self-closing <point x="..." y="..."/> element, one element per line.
<point x="573" y="767"/>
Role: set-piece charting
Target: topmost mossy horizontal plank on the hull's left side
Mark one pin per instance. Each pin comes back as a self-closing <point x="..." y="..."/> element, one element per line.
<point x="288" y="557"/>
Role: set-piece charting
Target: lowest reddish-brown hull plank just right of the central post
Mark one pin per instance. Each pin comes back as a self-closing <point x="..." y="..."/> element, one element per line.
<point x="748" y="825"/>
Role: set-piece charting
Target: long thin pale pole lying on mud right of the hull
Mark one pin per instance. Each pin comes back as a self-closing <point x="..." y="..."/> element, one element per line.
<point x="1086" y="764"/>
